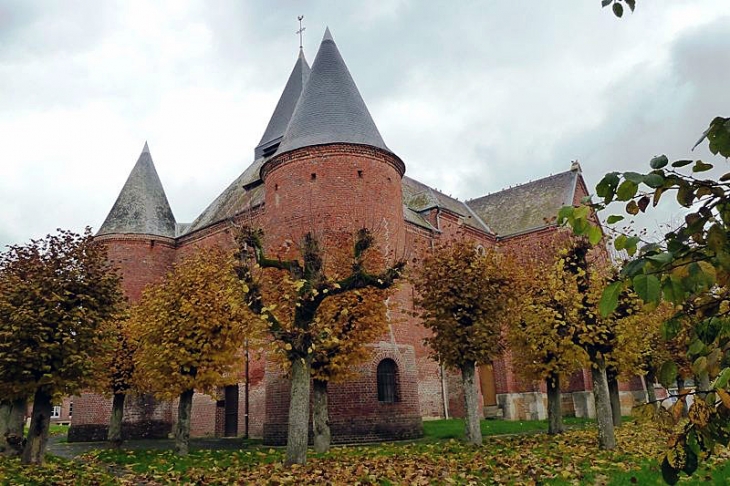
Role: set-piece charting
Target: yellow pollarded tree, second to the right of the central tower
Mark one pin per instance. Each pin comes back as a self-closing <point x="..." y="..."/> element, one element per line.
<point x="543" y="330"/>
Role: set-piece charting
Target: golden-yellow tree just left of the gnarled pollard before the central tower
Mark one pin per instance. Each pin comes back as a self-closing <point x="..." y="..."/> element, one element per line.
<point x="190" y="329"/>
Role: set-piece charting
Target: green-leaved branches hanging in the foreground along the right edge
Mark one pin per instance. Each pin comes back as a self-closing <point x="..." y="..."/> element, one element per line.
<point x="690" y="268"/>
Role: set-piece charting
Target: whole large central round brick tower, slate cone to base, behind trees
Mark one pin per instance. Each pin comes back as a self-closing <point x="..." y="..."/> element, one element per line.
<point x="332" y="175"/>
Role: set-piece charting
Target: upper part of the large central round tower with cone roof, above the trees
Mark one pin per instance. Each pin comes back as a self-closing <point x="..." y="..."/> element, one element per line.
<point x="332" y="173"/>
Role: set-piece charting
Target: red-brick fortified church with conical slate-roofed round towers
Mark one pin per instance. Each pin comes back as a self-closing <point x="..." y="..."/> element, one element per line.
<point x="322" y="164"/>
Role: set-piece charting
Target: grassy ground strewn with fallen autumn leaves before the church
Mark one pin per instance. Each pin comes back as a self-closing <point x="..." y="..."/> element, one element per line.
<point x="516" y="459"/>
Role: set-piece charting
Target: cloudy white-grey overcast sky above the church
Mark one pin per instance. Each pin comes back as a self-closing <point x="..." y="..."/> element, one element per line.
<point x="473" y="96"/>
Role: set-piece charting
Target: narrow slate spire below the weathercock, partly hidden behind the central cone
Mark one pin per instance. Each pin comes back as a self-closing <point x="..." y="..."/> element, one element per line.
<point x="285" y="107"/>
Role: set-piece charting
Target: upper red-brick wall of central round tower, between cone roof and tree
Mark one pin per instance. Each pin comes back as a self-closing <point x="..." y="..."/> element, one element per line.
<point x="332" y="191"/>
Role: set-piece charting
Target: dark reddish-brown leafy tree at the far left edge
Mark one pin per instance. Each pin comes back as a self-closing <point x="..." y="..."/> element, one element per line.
<point x="55" y="295"/>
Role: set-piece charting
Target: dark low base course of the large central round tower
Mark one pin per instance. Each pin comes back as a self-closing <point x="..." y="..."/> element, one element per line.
<point x="356" y="431"/>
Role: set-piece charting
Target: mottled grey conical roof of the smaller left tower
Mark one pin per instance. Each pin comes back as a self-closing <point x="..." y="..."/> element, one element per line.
<point x="142" y="206"/>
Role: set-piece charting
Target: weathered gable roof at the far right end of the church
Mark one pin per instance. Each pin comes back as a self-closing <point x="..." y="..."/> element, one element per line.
<point x="528" y="206"/>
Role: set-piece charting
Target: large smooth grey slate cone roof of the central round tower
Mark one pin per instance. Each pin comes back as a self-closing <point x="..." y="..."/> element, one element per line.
<point x="330" y="109"/>
